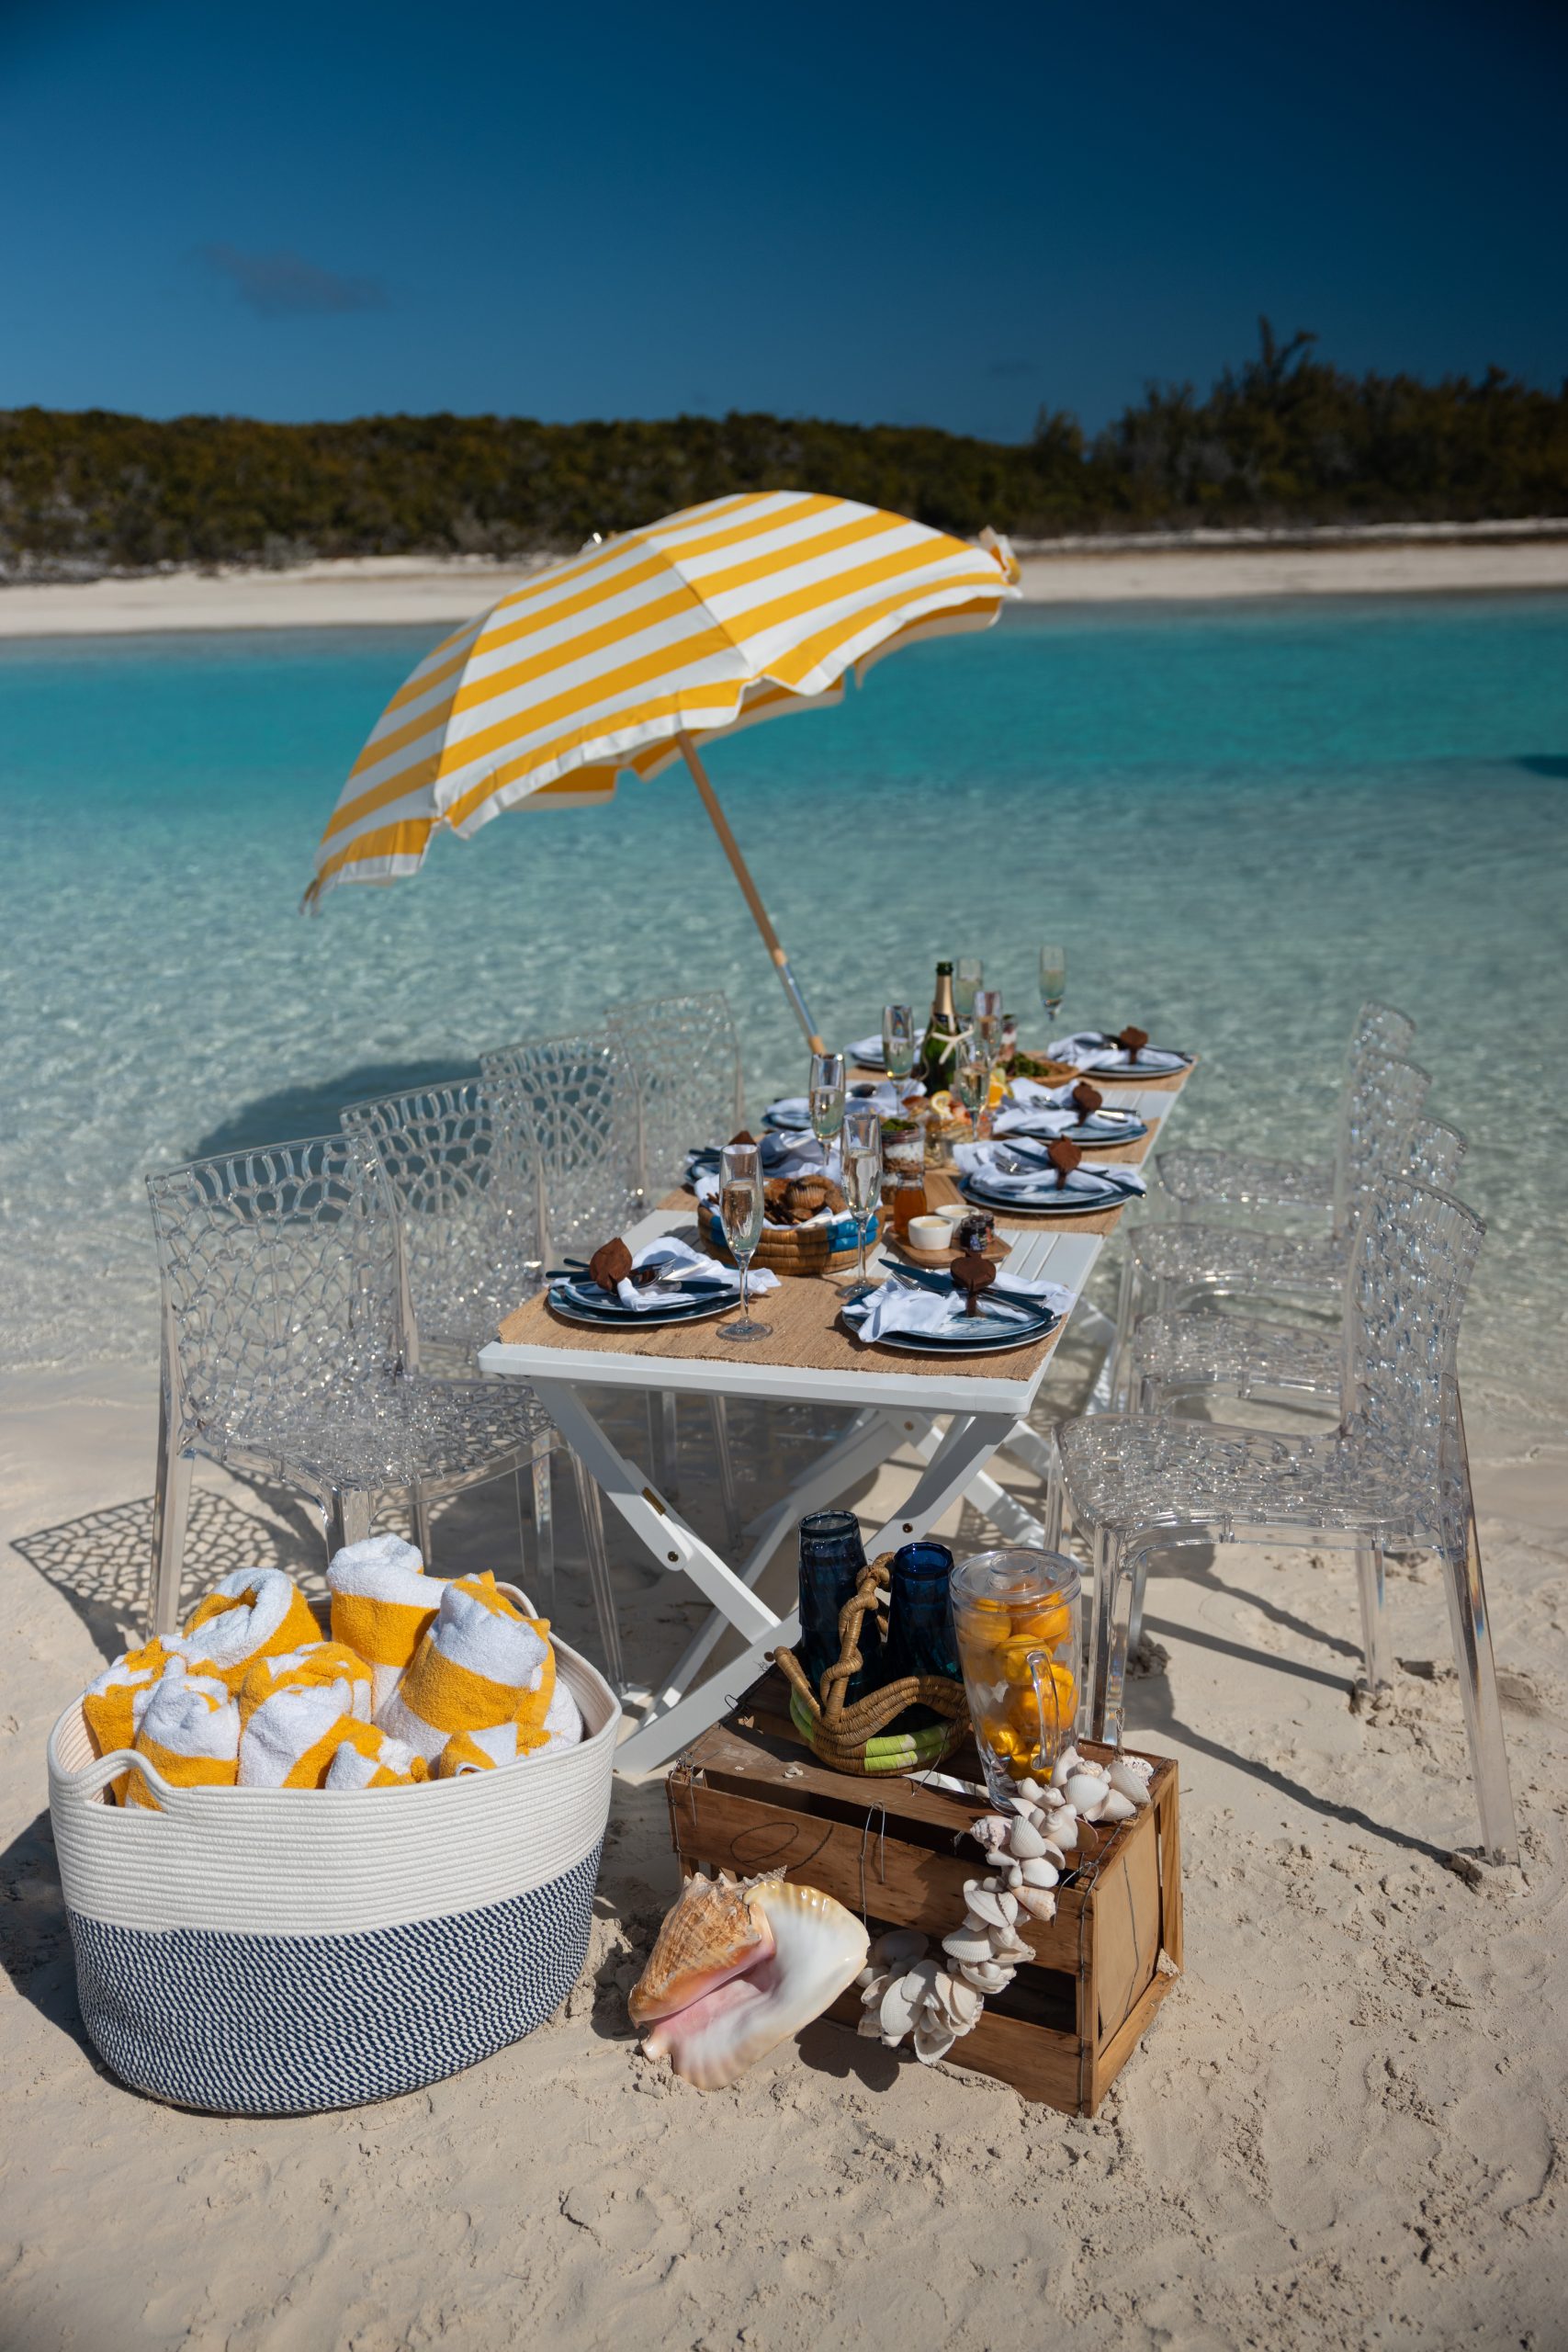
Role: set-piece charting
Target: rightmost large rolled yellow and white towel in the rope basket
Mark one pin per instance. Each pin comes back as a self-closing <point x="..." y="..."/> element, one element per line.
<point x="481" y="1664"/>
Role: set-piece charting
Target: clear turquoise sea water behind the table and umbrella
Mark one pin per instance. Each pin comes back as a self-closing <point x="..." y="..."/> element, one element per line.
<point x="1242" y="820"/>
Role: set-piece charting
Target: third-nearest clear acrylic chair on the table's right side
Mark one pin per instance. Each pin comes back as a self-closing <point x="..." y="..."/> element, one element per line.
<point x="1177" y="1262"/>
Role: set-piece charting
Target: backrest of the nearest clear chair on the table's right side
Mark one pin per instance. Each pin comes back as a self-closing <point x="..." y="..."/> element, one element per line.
<point x="1414" y="1257"/>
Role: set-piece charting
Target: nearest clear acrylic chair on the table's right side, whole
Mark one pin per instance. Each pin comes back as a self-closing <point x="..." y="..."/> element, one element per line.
<point x="1393" y="1476"/>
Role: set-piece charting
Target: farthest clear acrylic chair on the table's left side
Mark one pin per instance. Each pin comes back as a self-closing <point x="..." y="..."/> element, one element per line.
<point x="690" y="1090"/>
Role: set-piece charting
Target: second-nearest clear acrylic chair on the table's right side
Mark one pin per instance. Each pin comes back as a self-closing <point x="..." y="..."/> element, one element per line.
<point x="1266" y="1358"/>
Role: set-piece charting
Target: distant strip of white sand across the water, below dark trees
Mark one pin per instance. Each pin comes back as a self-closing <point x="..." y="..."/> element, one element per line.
<point x="420" y="592"/>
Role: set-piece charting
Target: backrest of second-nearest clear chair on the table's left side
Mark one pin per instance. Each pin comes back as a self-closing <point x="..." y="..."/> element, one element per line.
<point x="469" y="1198"/>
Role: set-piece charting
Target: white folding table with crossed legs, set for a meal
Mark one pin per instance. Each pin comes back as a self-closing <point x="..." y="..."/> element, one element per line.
<point x="899" y="1401"/>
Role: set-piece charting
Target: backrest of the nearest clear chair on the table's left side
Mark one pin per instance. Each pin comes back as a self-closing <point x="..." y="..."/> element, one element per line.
<point x="281" y="1276"/>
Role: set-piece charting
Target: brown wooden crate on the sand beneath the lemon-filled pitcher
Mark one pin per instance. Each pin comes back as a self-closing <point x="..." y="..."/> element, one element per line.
<point x="751" y="1798"/>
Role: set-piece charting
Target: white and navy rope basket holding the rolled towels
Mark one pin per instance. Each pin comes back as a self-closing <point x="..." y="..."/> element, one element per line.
<point x="257" y="1951"/>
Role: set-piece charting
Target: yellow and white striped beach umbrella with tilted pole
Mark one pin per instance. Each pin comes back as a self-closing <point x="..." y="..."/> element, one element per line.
<point x="730" y="613"/>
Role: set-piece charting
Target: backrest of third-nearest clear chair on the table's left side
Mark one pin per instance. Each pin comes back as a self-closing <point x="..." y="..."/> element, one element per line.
<point x="575" y="1104"/>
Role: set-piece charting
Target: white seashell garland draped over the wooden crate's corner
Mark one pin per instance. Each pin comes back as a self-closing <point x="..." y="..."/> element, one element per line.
<point x="911" y="1996"/>
